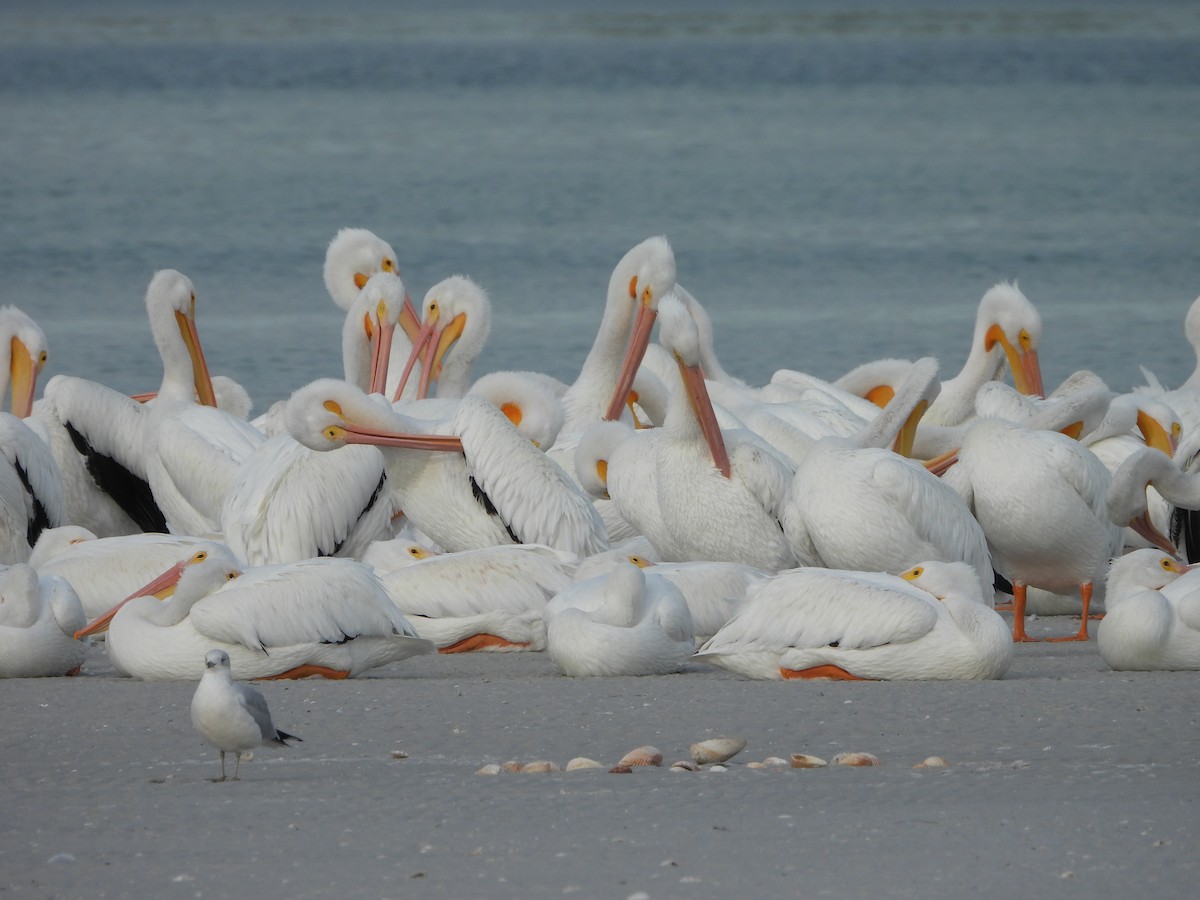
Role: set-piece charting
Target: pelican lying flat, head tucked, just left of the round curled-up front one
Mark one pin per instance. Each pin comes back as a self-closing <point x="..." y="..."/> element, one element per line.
<point x="490" y="599"/>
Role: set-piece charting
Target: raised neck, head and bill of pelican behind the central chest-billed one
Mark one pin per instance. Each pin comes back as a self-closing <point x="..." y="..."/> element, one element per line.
<point x="639" y="281"/>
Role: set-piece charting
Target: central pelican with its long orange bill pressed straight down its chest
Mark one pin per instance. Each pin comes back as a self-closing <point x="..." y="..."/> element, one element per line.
<point x="719" y="494"/>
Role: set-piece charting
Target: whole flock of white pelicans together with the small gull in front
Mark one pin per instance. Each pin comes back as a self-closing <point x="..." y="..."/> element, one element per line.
<point x="656" y="512"/>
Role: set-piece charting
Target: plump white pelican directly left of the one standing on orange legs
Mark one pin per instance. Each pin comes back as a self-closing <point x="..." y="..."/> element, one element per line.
<point x="859" y="506"/>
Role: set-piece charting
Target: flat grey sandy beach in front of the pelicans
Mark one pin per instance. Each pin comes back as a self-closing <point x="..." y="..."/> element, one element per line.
<point x="1065" y="779"/>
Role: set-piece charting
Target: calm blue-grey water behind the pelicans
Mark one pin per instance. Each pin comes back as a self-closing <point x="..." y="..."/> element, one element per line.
<point x="839" y="181"/>
